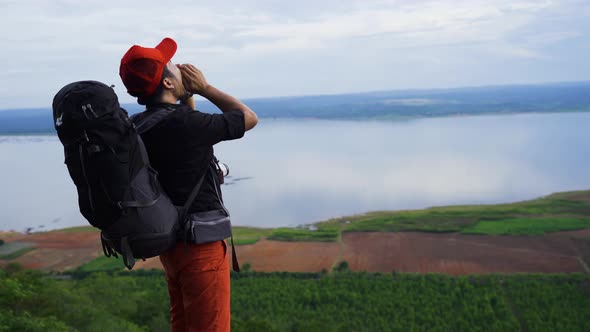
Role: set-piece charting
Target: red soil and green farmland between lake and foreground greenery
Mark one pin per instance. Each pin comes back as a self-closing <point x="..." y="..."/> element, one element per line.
<point x="547" y="235"/>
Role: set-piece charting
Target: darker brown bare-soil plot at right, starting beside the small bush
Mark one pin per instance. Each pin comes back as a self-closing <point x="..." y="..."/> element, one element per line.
<point x="460" y="254"/>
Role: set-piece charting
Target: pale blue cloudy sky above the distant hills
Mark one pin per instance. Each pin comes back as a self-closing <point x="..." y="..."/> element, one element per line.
<point x="269" y="48"/>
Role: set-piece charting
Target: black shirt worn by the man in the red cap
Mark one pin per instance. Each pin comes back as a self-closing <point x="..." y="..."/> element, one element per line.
<point x="180" y="148"/>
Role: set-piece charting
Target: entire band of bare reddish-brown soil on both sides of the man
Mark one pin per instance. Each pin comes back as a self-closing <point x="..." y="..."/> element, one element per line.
<point x="374" y="252"/>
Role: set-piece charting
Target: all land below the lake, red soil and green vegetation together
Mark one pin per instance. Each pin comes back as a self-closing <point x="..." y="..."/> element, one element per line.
<point x="511" y="267"/>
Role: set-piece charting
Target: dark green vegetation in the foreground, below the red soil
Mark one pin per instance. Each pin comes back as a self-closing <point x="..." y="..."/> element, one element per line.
<point x="137" y="301"/>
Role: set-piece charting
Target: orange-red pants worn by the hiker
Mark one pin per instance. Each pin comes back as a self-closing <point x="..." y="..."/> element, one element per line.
<point x="199" y="286"/>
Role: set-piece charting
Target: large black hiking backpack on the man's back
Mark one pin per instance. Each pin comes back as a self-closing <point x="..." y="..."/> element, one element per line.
<point x="118" y="191"/>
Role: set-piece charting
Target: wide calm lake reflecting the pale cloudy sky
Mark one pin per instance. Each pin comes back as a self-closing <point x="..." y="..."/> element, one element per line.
<point x="293" y="172"/>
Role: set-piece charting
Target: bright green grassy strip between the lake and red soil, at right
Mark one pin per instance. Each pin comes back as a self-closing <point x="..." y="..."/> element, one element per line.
<point x="557" y="212"/>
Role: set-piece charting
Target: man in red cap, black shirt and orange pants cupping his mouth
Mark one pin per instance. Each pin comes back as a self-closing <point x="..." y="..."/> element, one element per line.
<point x="180" y="148"/>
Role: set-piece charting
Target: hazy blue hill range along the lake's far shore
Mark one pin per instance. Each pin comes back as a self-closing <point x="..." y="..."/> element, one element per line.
<point x="544" y="98"/>
